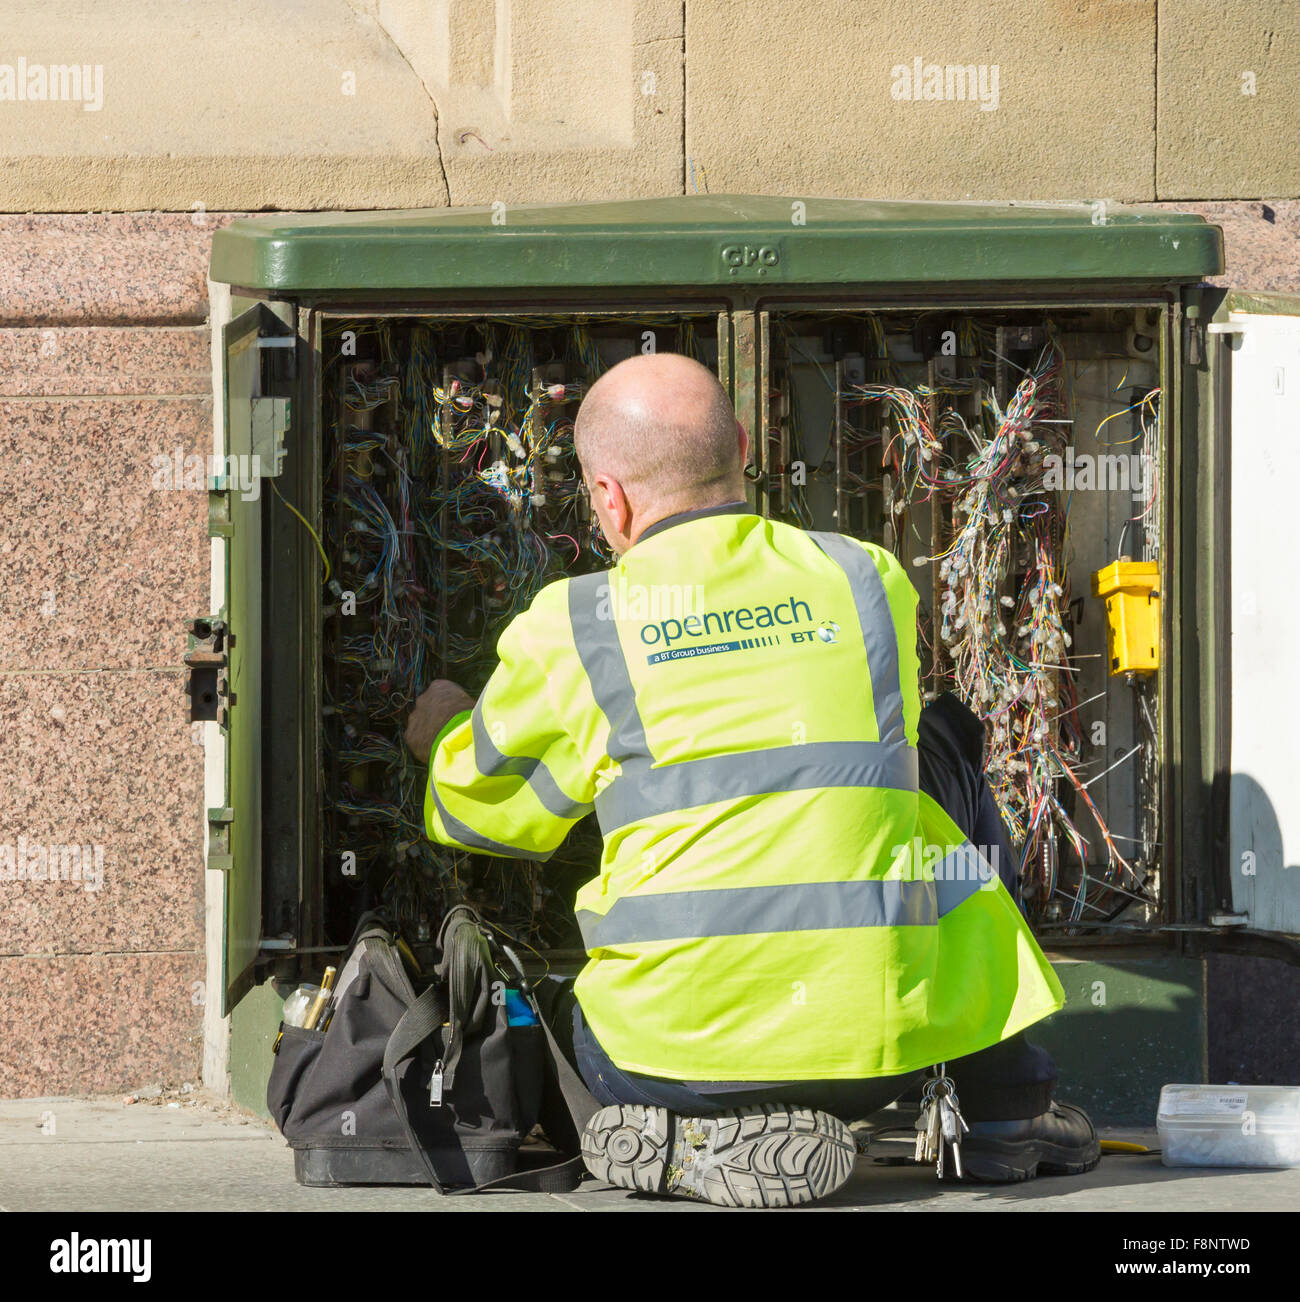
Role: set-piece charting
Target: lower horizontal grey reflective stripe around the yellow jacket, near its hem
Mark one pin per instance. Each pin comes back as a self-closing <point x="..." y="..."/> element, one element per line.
<point x="798" y="907"/>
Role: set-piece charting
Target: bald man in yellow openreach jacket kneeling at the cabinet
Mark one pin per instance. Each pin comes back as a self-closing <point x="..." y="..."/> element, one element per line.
<point x="787" y="929"/>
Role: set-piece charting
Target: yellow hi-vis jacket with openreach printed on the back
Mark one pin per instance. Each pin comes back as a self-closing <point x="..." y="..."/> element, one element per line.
<point x="738" y="700"/>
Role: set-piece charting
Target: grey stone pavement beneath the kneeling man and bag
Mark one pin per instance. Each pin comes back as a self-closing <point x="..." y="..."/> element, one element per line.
<point x="193" y="1153"/>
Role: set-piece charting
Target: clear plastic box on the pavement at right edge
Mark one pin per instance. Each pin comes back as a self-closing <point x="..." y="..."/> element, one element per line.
<point x="1230" y="1126"/>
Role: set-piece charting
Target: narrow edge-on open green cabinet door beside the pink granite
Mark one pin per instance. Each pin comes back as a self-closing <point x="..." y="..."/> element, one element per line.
<point x="259" y="351"/>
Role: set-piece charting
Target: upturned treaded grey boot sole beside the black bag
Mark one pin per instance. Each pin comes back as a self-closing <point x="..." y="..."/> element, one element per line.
<point x="761" y="1157"/>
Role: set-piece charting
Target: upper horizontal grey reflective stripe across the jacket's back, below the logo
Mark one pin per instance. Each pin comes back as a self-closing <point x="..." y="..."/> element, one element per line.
<point x="642" y="791"/>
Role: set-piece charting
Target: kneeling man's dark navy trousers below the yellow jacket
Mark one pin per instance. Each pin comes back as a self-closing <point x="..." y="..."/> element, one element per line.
<point x="1008" y="1083"/>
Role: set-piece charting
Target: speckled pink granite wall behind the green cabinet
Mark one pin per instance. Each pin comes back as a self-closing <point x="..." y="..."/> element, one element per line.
<point x="104" y="367"/>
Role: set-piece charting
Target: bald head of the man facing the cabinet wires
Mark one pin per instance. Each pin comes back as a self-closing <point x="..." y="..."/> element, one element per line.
<point x="664" y="430"/>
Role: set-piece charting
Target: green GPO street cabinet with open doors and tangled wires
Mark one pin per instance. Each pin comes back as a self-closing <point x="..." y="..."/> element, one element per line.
<point x="395" y="395"/>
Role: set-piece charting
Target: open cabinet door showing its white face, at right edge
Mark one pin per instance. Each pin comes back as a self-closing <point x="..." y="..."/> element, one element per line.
<point x="1254" y="346"/>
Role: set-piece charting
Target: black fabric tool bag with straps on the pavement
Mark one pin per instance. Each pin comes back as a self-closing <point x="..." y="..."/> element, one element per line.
<point x="431" y="1088"/>
